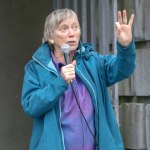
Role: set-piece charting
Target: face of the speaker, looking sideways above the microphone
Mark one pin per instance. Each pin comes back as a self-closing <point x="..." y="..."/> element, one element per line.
<point x="67" y="32"/>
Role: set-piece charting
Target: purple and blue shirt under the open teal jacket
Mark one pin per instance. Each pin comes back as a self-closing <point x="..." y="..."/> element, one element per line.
<point x="76" y="134"/>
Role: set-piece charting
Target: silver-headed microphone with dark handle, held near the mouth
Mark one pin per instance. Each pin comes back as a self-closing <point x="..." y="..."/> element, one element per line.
<point x="65" y="49"/>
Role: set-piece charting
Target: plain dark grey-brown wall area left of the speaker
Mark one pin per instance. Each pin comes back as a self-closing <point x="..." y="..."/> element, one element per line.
<point x="21" y="29"/>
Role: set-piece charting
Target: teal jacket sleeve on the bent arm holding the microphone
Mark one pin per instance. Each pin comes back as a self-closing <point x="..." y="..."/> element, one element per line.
<point x="37" y="100"/>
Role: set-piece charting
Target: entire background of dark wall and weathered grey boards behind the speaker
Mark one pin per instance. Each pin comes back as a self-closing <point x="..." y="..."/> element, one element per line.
<point x="21" y="31"/>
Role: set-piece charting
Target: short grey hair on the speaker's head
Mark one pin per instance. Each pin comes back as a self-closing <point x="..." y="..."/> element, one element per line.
<point x="54" y="19"/>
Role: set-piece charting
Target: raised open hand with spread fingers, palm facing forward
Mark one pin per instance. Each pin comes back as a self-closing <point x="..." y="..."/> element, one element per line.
<point x="124" y="29"/>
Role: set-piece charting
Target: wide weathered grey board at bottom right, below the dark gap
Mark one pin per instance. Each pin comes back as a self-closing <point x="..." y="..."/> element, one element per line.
<point x="133" y="124"/>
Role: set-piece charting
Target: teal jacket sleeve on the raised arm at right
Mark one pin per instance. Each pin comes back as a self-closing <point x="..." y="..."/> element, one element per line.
<point x="120" y="66"/>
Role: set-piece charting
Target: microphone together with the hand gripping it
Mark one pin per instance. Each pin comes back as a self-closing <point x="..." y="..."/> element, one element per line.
<point x="68" y="71"/>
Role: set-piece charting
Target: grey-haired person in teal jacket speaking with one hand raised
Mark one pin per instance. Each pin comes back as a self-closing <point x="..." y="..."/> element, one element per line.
<point x="69" y="103"/>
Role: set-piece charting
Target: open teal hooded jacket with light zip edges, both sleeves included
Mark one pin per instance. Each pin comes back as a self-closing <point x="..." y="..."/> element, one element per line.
<point x="43" y="87"/>
